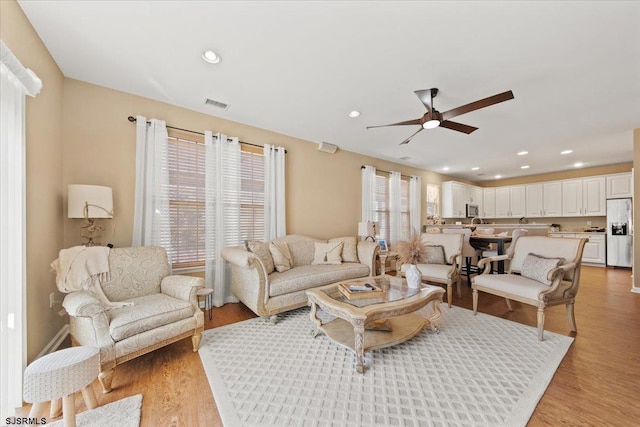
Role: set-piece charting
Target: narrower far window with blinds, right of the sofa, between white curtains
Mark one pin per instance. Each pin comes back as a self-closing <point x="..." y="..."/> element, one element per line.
<point x="382" y="212"/>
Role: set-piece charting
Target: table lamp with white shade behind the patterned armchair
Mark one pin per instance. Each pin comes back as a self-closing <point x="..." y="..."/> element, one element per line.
<point x="90" y="202"/>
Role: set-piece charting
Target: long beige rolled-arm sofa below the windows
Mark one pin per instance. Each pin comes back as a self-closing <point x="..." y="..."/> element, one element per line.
<point x="267" y="292"/>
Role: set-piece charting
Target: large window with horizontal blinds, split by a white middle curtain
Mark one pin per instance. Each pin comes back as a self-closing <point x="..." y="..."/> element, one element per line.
<point x="187" y="203"/>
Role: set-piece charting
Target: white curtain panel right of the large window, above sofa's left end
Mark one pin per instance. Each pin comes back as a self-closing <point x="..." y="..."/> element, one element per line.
<point x="274" y="194"/>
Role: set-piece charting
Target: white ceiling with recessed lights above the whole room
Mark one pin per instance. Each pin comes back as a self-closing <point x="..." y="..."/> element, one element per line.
<point x="299" y="68"/>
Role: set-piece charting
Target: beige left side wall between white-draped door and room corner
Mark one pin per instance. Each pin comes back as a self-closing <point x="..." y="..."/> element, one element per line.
<point x="44" y="175"/>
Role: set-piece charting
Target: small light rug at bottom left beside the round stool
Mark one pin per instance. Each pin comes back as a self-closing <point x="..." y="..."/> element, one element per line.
<point x="122" y="413"/>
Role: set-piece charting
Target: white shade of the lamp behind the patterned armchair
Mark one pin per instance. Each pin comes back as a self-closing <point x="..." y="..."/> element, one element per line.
<point x="96" y="199"/>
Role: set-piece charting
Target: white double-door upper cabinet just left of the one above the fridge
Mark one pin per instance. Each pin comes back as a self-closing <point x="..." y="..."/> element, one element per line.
<point x="584" y="197"/>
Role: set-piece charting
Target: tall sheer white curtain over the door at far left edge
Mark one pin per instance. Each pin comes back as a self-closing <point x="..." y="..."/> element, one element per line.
<point x="15" y="83"/>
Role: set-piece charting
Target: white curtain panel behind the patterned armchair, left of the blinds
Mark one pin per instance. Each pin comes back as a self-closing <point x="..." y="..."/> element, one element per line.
<point x="151" y="221"/>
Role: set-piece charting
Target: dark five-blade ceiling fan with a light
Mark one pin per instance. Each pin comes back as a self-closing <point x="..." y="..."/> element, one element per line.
<point x="433" y="118"/>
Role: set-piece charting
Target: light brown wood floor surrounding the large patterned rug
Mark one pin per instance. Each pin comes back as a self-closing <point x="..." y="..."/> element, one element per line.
<point x="597" y="383"/>
